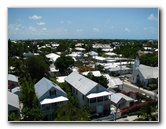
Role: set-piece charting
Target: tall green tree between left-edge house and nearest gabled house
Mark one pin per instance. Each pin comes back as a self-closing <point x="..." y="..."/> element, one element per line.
<point x="31" y="110"/>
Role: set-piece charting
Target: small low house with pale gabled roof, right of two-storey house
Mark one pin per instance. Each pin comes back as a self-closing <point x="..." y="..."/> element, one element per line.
<point x="121" y="101"/>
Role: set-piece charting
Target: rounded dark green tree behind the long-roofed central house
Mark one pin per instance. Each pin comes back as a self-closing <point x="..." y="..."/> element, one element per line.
<point x="63" y="63"/>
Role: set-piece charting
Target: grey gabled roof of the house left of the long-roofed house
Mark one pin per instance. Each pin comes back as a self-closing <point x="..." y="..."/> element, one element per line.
<point x="42" y="86"/>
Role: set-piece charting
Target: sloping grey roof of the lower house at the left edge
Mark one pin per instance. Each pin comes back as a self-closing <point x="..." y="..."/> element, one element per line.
<point x="13" y="100"/>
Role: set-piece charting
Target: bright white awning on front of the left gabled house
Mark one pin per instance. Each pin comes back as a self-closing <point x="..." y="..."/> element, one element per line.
<point x="53" y="100"/>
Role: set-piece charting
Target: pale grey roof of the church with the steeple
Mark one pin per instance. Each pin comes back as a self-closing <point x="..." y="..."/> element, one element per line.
<point x="148" y="71"/>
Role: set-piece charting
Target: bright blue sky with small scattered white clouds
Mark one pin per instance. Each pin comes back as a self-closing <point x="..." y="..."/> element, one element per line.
<point x="83" y="23"/>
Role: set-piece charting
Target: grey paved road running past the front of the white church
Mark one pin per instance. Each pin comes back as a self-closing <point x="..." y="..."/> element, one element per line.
<point x="127" y="86"/>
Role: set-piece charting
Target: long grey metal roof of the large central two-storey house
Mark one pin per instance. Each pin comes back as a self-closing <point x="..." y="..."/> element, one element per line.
<point x="81" y="83"/>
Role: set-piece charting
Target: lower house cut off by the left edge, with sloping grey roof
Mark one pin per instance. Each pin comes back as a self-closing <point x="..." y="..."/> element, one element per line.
<point x="13" y="104"/>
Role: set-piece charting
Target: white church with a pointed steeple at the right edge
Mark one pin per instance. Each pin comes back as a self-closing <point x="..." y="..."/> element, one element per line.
<point x="144" y="74"/>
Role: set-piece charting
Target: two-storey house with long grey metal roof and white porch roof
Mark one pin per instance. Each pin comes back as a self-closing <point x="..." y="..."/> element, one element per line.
<point x="89" y="92"/>
